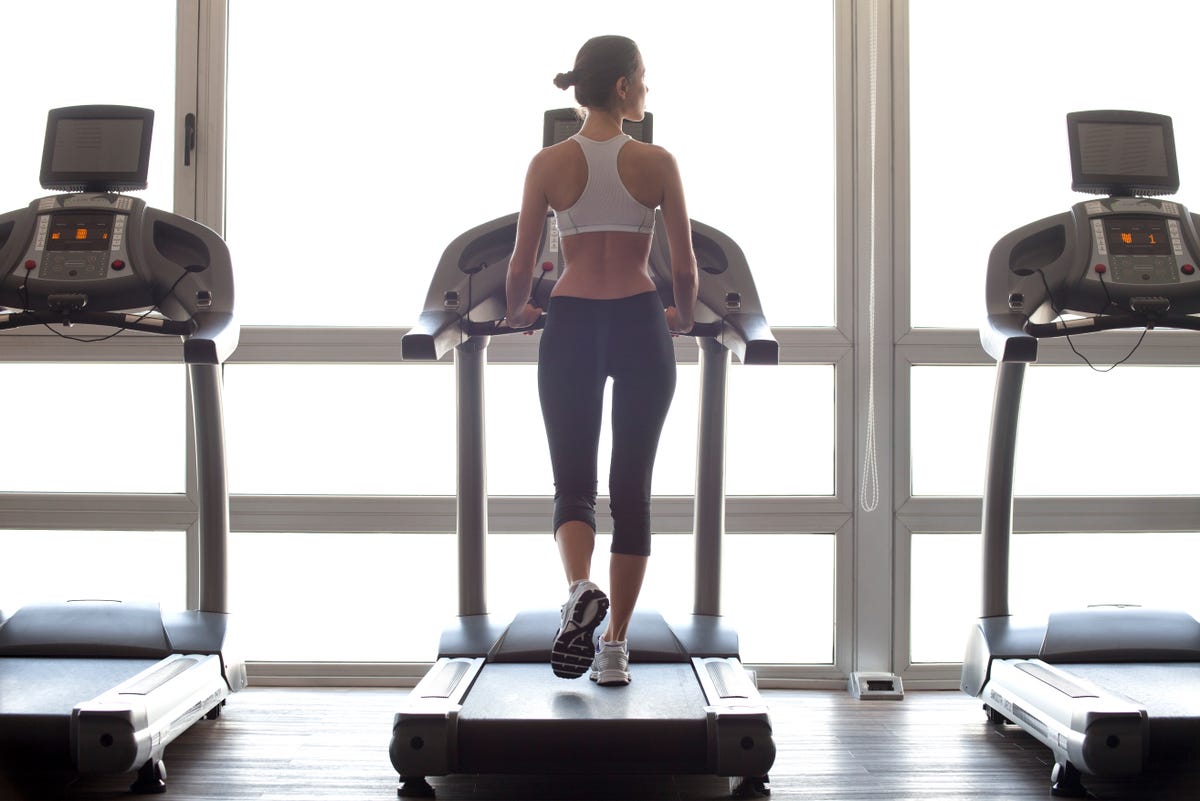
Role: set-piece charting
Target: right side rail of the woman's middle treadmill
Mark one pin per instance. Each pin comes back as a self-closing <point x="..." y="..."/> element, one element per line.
<point x="740" y="734"/>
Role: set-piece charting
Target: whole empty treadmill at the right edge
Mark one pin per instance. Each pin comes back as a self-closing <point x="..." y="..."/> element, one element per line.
<point x="1106" y="689"/>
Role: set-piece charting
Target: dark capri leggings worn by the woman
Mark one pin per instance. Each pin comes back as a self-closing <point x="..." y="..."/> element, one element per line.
<point x="585" y="342"/>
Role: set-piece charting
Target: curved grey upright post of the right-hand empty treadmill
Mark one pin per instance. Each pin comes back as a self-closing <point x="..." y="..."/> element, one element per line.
<point x="998" y="497"/>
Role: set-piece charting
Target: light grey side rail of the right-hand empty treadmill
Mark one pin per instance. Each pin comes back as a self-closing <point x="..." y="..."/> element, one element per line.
<point x="1099" y="733"/>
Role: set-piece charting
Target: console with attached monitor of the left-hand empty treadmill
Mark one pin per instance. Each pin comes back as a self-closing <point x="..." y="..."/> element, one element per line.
<point x="92" y="256"/>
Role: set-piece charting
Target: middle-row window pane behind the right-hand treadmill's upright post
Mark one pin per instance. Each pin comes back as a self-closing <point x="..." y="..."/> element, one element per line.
<point x="1081" y="431"/>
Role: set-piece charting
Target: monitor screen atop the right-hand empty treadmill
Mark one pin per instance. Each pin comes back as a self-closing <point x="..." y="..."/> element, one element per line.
<point x="1123" y="153"/>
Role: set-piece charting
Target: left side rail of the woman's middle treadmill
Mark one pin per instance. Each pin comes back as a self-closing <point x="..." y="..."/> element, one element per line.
<point x="425" y="731"/>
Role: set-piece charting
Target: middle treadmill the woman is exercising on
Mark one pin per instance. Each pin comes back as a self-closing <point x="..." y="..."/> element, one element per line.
<point x="491" y="703"/>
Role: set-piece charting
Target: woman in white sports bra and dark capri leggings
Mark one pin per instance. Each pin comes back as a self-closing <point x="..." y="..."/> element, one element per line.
<point x="604" y="321"/>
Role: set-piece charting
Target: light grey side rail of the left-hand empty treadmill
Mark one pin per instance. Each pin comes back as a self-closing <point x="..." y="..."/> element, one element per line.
<point x="134" y="724"/>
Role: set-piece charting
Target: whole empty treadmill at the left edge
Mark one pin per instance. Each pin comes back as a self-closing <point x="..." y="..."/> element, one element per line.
<point x="105" y="686"/>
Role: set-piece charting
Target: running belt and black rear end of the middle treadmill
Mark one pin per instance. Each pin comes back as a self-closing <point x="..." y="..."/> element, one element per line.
<point x="524" y="719"/>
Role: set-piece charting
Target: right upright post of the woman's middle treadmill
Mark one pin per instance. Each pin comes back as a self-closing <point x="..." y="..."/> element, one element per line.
<point x="710" y="510"/>
